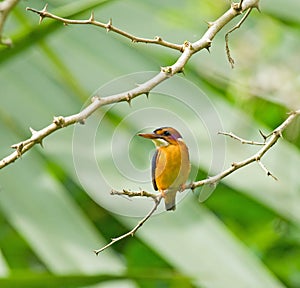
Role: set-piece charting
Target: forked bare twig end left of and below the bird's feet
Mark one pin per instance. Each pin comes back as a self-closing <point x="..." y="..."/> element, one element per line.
<point x="157" y="200"/>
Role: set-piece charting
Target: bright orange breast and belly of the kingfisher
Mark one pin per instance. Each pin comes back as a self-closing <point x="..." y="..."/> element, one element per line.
<point x="172" y="166"/>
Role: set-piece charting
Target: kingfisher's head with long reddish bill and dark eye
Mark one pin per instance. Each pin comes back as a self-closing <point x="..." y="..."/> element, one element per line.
<point x="163" y="136"/>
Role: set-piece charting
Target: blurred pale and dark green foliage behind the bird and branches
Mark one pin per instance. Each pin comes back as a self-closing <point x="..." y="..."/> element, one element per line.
<point x="246" y="234"/>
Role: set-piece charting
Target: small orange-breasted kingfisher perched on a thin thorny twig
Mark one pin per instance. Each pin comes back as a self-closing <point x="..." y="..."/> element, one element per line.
<point x="170" y="163"/>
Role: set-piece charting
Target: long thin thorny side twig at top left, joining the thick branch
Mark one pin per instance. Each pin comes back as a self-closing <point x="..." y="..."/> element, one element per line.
<point x="108" y="26"/>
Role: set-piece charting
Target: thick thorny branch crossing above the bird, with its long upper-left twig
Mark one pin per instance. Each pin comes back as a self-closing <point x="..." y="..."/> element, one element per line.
<point x="188" y="50"/>
